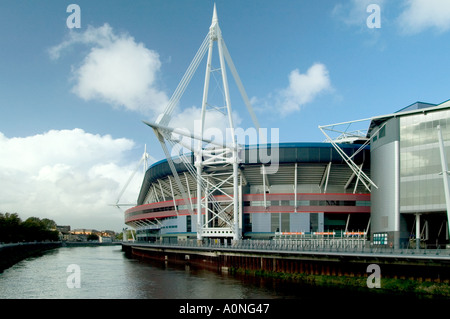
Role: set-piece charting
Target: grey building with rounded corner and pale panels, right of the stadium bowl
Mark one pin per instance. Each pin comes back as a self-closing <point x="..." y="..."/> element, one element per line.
<point x="410" y="201"/>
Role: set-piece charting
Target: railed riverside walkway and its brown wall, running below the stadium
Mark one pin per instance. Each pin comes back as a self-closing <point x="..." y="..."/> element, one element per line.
<point x="346" y="258"/>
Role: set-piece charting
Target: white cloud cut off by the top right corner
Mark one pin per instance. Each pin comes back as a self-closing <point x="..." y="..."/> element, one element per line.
<point x="419" y="15"/>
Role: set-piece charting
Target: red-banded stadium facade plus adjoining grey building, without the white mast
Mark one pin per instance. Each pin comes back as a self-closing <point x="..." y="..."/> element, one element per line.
<point x="315" y="191"/>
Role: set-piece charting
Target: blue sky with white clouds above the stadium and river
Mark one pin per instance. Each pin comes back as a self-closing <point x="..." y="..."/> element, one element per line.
<point x="73" y="96"/>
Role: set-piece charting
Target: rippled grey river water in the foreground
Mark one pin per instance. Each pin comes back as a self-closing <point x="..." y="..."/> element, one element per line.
<point x="104" y="272"/>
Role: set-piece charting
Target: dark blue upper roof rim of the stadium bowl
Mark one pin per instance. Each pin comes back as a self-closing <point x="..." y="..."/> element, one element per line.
<point x="313" y="157"/>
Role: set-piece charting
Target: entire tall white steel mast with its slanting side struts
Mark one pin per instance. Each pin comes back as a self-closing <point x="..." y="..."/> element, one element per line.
<point x="218" y="188"/>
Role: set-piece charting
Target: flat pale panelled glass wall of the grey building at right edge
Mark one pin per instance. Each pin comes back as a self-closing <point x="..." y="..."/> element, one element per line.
<point x="421" y="184"/>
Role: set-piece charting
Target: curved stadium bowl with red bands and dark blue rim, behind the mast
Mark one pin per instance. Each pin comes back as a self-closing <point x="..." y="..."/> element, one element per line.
<point x="313" y="191"/>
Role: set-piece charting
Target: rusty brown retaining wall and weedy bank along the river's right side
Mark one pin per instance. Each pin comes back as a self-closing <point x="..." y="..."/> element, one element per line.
<point x="412" y="275"/>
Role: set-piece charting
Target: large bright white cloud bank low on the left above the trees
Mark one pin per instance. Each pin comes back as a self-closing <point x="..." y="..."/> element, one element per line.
<point x="69" y="176"/>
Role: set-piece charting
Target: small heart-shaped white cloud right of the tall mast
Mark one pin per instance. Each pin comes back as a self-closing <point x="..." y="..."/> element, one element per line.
<point x="303" y="88"/>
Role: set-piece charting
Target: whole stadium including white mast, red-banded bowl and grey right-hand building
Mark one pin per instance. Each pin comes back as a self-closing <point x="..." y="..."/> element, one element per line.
<point x="386" y="183"/>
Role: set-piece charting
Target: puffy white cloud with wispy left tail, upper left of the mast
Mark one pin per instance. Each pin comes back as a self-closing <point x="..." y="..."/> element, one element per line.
<point x="117" y="70"/>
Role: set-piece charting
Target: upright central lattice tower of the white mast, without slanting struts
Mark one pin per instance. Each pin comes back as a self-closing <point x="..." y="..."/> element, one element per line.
<point x="221" y="220"/>
